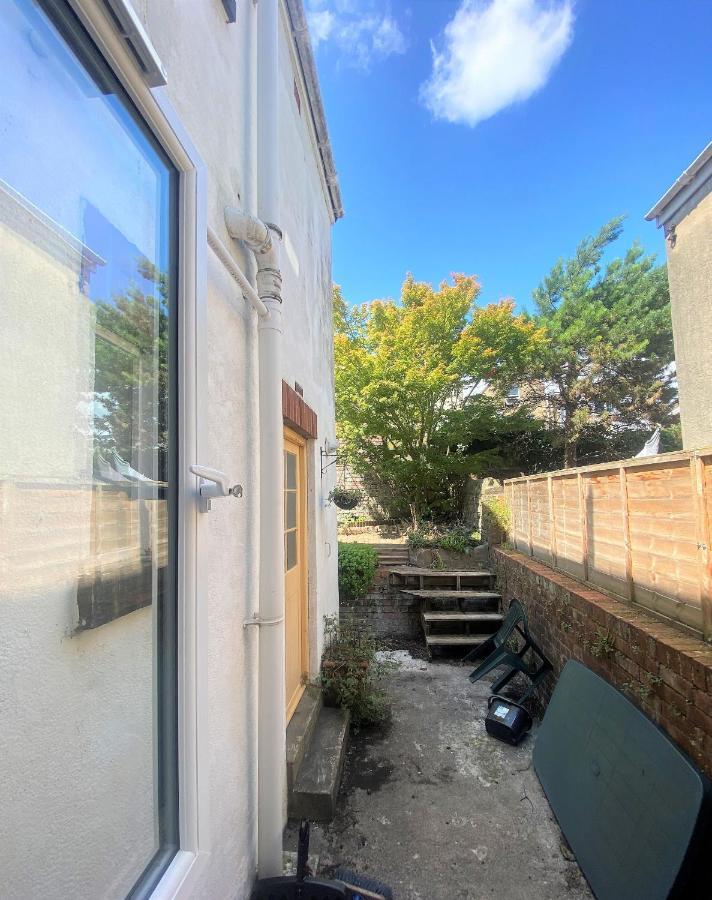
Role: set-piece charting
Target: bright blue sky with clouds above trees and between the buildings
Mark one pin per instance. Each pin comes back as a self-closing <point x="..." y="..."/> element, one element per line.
<point x="490" y="137"/>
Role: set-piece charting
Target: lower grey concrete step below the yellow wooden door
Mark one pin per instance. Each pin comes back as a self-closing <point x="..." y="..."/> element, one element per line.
<point x="317" y="785"/>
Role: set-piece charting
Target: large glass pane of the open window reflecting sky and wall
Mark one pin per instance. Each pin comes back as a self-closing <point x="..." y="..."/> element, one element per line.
<point x="87" y="459"/>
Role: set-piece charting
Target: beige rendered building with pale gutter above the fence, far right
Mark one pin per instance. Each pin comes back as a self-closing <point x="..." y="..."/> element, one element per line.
<point x="685" y="214"/>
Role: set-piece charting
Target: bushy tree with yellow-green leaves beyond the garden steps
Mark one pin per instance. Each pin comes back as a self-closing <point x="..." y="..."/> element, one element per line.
<point x="408" y="377"/>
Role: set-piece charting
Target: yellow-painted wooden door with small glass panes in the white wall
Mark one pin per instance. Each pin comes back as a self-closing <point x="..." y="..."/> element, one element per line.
<point x="295" y="569"/>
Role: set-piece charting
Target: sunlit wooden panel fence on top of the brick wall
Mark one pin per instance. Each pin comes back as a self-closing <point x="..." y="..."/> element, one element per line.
<point x="639" y="528"/>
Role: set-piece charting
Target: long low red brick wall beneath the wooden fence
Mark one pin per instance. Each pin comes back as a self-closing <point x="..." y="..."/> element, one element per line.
<point x="664" y="670"/>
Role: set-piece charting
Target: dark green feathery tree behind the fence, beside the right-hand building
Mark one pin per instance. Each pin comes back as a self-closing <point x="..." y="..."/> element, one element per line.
<point x="606" y="366"/>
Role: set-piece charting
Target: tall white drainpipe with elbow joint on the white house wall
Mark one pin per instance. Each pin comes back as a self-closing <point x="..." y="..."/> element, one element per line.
<point x="260" y="238"/>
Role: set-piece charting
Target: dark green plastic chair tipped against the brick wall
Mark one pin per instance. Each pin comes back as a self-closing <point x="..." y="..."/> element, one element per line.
<point x="495" y="652"/>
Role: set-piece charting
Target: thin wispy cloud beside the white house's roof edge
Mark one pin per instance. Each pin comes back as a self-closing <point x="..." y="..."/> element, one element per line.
<point x="360" y="31"/>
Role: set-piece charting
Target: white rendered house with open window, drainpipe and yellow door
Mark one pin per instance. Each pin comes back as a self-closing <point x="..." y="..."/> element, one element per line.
<point x="167" y="552"/>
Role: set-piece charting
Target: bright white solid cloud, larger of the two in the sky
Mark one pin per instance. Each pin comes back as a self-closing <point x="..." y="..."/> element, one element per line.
<point x="495" y="53"/>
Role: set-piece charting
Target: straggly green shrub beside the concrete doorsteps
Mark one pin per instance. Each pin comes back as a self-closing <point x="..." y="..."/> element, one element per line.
<point x="351" y="674"/>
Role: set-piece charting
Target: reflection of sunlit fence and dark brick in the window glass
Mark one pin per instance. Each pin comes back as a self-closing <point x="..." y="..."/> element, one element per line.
<point x="111" y="541"/>
